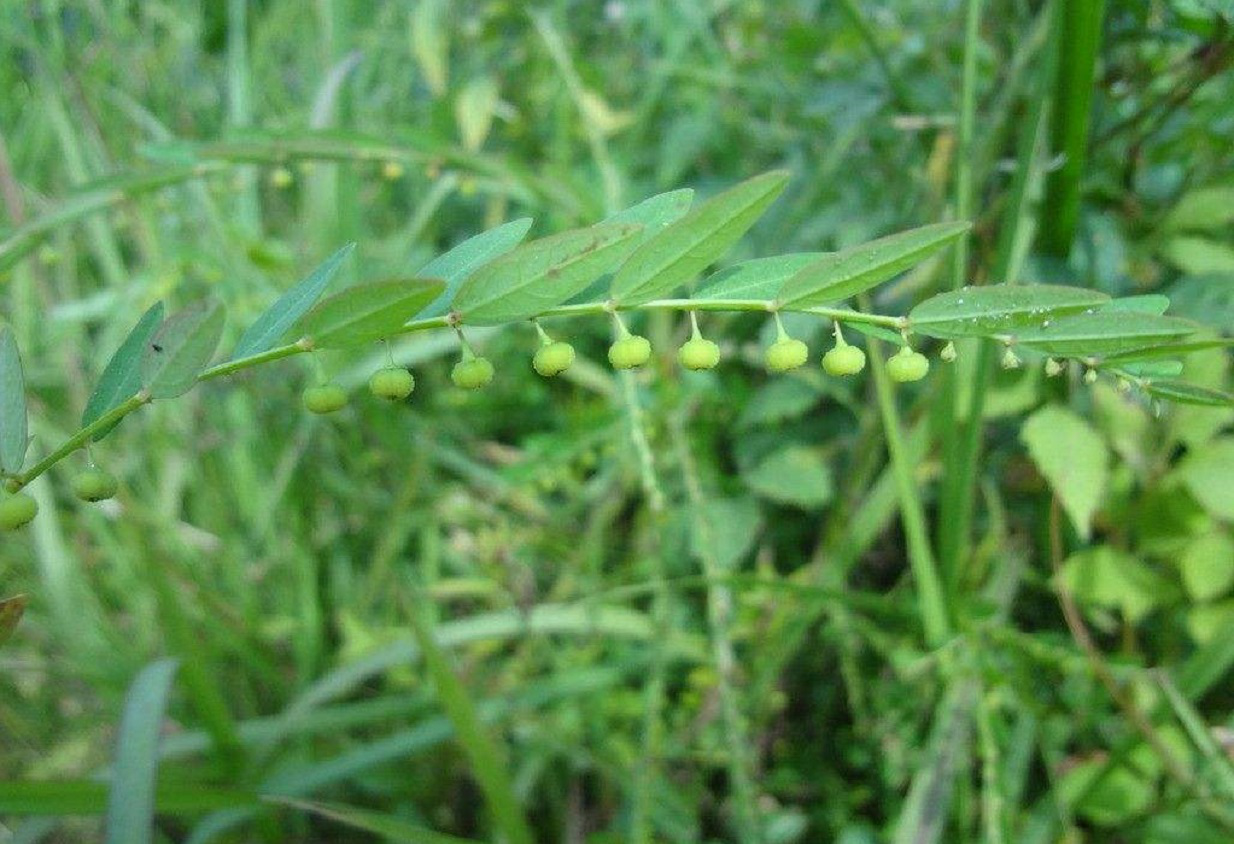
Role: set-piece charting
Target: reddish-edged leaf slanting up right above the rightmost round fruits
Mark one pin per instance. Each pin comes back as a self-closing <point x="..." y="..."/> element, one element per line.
<point x="851" y="272"/>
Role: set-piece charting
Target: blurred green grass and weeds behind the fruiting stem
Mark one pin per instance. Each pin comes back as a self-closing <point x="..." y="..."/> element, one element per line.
<point x="673" y="608"/>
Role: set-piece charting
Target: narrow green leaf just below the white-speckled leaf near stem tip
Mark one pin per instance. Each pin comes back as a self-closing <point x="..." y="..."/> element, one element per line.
<point x="1104" y="333"/>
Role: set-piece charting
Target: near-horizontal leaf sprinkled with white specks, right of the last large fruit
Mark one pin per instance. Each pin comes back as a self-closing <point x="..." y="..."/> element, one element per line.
<point x="998" y="309"/>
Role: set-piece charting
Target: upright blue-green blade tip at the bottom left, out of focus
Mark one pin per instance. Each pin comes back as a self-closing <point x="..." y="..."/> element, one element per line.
<point x="131" y="801"/>
